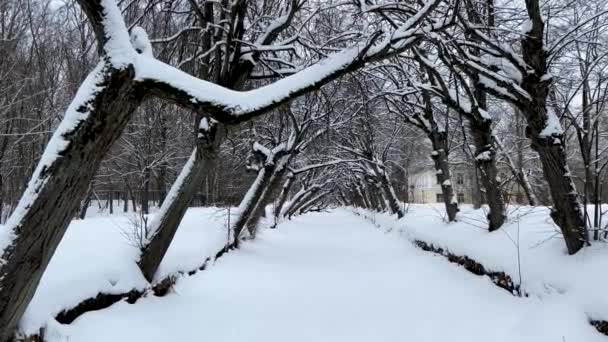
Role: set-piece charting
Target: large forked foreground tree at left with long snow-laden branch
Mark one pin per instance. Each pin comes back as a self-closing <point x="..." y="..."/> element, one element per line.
<point x="103" y="105"/>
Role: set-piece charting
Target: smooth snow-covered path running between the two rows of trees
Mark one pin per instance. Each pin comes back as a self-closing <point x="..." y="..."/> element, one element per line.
<point x="332" y="277"/>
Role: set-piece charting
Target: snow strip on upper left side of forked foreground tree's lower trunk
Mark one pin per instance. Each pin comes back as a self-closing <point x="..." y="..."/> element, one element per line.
<point x="73" y="116"/>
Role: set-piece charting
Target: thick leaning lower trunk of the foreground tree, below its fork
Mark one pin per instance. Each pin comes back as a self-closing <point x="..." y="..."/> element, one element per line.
<point x="91" y="126"/>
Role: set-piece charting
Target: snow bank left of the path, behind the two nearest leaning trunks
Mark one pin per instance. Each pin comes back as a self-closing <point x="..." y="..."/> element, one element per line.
<point x="97" y="255"/>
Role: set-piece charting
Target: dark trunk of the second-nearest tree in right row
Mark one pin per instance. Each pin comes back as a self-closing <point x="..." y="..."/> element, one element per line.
<point x="485" y="160"/>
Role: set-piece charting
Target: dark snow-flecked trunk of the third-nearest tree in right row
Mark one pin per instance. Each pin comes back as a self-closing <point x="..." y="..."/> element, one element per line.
<point x="442" y="171"/>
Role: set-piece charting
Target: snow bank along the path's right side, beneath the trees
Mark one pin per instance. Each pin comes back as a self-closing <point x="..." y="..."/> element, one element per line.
<point x="548" y="273"/>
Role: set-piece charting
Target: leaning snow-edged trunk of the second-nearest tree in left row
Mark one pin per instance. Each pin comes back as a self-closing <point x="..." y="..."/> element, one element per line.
<point x="164" y="226"/>
